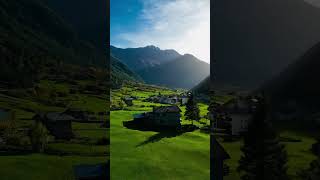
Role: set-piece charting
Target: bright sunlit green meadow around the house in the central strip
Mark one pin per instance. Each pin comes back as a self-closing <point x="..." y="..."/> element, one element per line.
<point x="152" y="155"/>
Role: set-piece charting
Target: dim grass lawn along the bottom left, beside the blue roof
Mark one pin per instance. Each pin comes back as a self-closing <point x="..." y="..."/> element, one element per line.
<point x="44" y="167"/>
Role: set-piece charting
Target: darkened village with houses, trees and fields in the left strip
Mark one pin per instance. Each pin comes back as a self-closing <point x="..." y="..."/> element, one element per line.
<point x="56" y="121"/>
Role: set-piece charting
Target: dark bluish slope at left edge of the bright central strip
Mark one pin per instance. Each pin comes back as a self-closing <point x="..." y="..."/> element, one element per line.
<point x="121" y="73"/>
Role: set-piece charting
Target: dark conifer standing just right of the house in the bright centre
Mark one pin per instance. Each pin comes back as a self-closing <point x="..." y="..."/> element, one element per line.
<point x="192" y="109"/>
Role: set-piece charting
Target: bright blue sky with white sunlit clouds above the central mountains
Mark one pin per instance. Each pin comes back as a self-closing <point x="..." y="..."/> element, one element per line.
<point x="182" y="25"/>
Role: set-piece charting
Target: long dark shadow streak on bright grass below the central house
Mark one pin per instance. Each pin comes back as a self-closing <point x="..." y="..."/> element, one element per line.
<point x="170" y="133"/>
